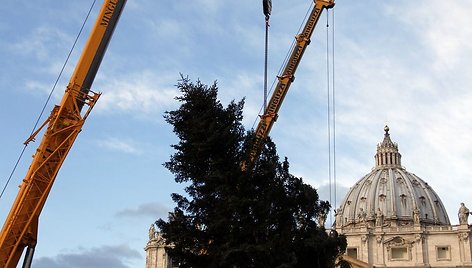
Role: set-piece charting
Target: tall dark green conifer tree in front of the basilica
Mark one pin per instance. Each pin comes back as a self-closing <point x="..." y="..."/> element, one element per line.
<point x="231" y="218"/>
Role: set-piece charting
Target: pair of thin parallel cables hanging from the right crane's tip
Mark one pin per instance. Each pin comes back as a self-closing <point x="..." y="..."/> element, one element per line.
<point x="331" y="114"/>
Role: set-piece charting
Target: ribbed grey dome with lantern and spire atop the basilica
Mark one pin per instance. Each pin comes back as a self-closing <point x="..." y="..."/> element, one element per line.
<point x="390" y="195"/>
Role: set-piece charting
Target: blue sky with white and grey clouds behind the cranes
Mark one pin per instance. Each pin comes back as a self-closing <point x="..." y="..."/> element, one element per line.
<point x="398" y="63"/>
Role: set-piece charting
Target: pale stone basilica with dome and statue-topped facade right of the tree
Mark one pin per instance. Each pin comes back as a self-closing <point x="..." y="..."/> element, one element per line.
<point x="393" y="218"/>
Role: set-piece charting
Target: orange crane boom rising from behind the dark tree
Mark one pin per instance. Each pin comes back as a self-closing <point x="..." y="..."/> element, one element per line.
<point x="285" y="80"/>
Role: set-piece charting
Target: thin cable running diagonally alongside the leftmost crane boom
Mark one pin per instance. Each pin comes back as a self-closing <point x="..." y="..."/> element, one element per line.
<point x="48" y="98"/>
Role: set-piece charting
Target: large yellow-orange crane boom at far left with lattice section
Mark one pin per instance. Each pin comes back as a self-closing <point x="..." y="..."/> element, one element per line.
<point x="63" y="125"/>
